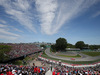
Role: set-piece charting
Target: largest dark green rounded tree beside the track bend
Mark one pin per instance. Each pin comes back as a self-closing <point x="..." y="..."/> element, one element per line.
<point x="61" y="44"/>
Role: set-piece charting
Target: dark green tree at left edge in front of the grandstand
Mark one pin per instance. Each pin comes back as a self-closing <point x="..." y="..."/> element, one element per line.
<point x="4" y="49"/>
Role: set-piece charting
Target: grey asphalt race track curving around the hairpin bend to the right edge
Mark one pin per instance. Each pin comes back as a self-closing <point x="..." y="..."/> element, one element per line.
<point x="82" y="58"/>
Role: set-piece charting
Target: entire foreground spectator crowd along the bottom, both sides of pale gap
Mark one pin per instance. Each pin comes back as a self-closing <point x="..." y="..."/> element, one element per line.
<point x="58" y="70"/>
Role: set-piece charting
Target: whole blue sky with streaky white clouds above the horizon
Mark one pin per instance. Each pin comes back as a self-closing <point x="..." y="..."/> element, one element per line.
<point x="28" y="21"/>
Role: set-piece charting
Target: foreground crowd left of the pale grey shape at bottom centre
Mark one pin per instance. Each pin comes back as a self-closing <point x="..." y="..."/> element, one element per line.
<point x="22" y="70"/>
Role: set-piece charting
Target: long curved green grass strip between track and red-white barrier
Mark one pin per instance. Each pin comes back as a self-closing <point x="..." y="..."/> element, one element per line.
<point x="71" y="62"/>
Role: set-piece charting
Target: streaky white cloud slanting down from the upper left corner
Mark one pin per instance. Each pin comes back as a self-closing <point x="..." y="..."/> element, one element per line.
<point x="19" y="10"/>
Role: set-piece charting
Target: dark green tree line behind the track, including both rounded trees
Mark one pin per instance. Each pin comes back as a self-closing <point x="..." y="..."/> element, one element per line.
<point x="61" y="44"/>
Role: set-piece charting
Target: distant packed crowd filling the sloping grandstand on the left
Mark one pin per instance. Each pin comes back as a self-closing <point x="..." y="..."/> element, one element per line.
<point x="18" y="50"/>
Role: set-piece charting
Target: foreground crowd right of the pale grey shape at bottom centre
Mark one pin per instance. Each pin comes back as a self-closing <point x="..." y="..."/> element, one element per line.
<point x="63" y="70"/>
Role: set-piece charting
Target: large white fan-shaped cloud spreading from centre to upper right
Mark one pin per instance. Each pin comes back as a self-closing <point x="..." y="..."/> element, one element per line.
<point x="53" y="14"/>
